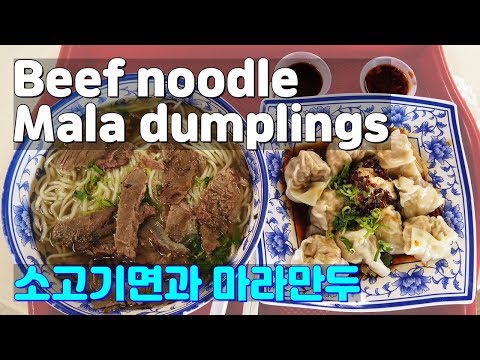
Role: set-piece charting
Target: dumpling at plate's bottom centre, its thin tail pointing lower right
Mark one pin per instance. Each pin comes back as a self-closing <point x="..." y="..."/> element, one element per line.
<point x="362" y="250"/>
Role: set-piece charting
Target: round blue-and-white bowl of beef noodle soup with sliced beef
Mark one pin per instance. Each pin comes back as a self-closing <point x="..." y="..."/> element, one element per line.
<point x="134" y="203"/>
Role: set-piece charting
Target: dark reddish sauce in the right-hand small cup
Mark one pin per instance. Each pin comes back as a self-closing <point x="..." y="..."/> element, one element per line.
<point x="386" y="79"/>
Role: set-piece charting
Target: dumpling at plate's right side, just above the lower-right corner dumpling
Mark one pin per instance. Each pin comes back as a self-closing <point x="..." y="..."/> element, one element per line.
<point x="416" y="199"/>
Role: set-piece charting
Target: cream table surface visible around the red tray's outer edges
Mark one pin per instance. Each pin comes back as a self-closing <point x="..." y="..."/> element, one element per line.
<point x="462" y="61"/>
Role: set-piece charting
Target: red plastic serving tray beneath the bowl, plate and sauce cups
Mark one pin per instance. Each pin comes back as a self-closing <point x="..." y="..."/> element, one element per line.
<point x="345" y="62"/>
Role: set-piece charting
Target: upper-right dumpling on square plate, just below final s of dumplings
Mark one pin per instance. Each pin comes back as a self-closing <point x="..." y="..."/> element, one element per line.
<point x="400" y="158"/>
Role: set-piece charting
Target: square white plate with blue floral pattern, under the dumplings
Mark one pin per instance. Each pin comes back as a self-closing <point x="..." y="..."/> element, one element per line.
<point x="434" y="131"/>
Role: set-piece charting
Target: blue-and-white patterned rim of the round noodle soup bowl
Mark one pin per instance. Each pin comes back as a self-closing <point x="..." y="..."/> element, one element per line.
<point x="26" y="166"/>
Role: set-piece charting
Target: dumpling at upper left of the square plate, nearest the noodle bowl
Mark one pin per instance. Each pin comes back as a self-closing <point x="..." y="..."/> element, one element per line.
<point x="306" y="175"/>
